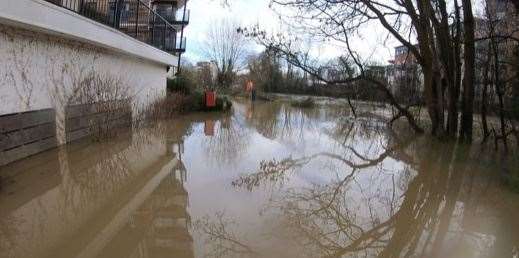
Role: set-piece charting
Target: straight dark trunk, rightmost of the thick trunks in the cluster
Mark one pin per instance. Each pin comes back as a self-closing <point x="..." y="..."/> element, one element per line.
<point x="468" y="76"/>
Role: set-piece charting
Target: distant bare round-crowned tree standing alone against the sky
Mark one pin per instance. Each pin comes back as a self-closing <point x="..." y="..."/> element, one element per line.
<point x="227" y="49"/>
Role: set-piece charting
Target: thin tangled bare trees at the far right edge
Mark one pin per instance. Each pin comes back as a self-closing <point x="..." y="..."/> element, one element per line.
<point x="496" y="42"/>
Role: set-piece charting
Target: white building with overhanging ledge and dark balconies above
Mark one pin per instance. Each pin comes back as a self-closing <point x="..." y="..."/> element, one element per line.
<point x="52" y="51"/>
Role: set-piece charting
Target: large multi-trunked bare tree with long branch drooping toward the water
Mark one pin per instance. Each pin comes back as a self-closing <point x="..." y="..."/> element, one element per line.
<point x="434" y="32"/>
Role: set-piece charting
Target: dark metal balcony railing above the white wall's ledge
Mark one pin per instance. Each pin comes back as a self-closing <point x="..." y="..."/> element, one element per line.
<point x="133" y="17"/>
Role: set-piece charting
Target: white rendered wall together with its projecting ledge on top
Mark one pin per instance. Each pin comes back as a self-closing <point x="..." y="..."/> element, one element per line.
<point x="46" y="52"/>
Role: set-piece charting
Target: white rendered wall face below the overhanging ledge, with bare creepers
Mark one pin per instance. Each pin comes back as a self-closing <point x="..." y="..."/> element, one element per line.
<point x="40" y="71"/>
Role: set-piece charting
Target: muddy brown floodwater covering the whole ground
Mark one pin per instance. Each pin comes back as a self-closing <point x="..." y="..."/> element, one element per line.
<point x="267" y="180"/>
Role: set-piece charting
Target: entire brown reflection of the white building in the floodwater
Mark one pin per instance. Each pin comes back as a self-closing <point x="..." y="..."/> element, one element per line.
<point x="123" y="198"/>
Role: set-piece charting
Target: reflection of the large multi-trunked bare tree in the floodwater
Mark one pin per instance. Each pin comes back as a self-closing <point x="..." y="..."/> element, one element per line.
<point x="417" y="216"/>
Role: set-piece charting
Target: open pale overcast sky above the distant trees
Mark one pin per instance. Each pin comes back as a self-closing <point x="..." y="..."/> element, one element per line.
<point x="251" y="12"/>
